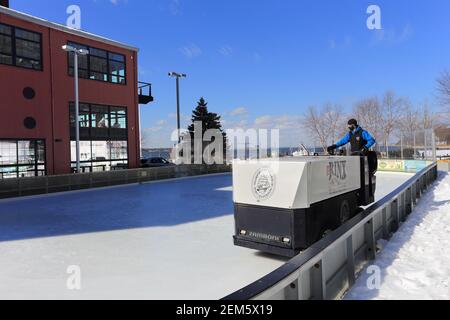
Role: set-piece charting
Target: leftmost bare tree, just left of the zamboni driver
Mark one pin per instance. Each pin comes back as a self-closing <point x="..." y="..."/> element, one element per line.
<point x="324" y="123"/>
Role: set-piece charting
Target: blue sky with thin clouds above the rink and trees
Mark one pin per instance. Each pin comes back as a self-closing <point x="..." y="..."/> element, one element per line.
<point x="262" y="63"/>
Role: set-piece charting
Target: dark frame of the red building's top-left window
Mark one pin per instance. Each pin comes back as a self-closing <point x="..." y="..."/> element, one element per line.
<point x="14" y="55"/>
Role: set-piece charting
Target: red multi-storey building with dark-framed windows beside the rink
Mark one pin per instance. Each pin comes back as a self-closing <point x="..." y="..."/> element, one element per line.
<point x="37" y="130"/>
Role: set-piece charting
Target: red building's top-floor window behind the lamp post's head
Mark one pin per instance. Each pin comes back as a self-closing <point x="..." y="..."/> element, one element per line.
<point x="100" y="65"/>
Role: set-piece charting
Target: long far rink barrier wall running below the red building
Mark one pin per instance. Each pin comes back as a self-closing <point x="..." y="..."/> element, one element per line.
<point x="10" y="188"/>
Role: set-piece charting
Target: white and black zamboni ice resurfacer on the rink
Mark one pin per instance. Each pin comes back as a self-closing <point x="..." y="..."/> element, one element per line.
<point x="283" y="206"/>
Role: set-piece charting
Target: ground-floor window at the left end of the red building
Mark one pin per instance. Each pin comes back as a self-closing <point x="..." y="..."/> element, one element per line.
<point x="22" y="158"/>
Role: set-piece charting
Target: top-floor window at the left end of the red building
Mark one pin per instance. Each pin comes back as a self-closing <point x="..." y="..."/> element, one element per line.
<point x="21" y="48"/>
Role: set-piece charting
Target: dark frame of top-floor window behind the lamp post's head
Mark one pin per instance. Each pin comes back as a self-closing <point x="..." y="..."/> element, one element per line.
<point x="109" y="55"/>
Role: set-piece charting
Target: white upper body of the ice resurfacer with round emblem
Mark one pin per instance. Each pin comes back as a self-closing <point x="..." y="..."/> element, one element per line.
<point x="294" y="182"/>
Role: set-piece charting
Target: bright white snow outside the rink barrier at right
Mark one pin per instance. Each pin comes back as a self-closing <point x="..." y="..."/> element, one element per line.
<point x="415" y="263"/>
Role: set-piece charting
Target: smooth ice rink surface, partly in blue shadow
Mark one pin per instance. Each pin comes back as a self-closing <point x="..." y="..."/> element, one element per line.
<point x="162" y="240"/>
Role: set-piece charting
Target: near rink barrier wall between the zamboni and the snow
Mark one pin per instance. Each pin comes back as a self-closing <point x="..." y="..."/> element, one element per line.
<point x="330" y="267"/>
